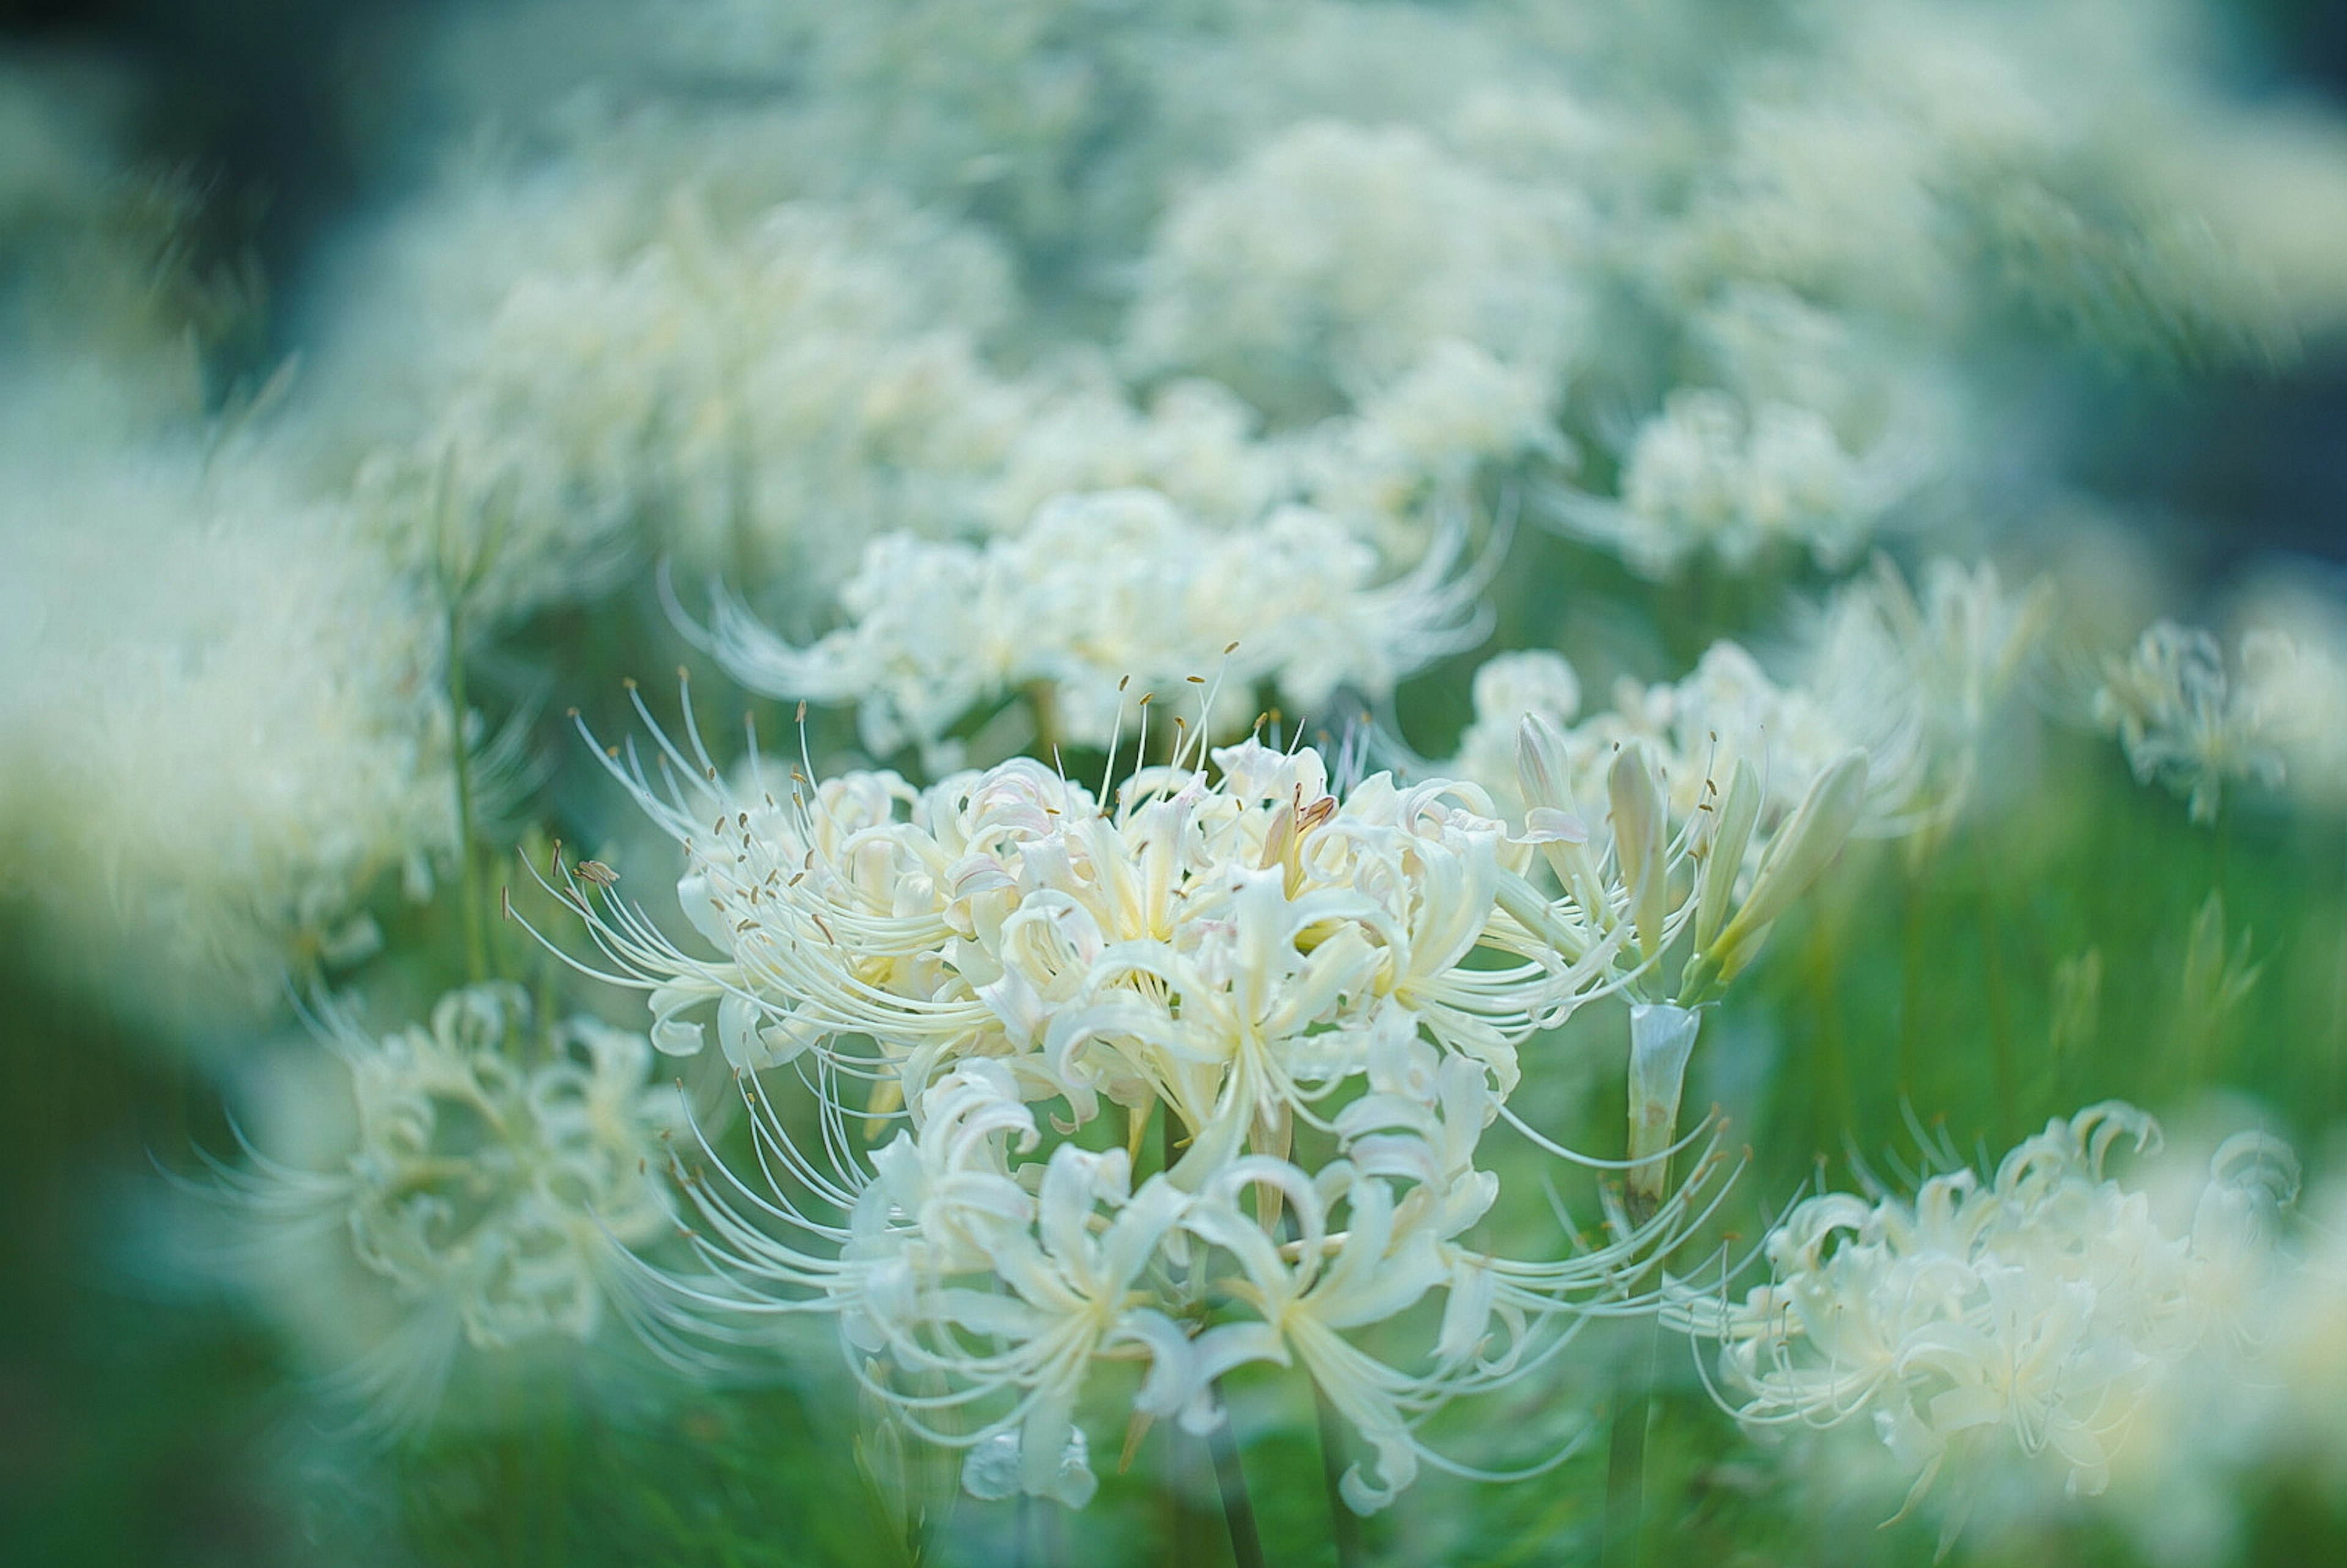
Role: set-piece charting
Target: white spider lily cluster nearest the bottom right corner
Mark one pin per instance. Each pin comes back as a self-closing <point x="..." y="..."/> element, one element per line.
<point x="2008" y="1327"/>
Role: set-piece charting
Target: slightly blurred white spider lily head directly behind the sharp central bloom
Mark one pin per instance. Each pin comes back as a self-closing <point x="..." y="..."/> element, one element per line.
<point x="1102" y="593"/>
